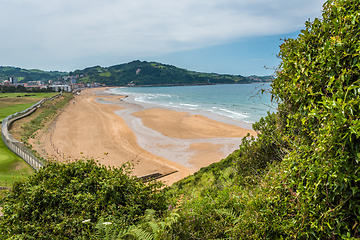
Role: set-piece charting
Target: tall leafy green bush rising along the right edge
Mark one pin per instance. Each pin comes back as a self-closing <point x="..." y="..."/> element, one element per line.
<point x="314" y="191"/>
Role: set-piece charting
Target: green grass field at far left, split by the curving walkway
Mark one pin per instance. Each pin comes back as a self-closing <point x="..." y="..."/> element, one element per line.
<point x="13" y="167"/>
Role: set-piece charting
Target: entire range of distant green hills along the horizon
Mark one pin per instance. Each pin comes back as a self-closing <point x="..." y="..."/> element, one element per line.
<point x="138" y="73"/>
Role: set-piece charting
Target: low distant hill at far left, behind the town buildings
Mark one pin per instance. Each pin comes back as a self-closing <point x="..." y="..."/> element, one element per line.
<point x="25" y="75"/>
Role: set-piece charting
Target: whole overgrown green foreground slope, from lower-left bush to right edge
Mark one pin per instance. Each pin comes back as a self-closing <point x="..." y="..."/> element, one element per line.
<point x="299" y="179"/>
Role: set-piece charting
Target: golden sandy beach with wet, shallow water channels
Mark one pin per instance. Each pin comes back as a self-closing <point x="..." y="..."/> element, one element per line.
<point x="100" y="125"/>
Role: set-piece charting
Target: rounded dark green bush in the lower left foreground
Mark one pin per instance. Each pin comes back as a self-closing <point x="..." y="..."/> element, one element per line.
<point x="53" y="203"/>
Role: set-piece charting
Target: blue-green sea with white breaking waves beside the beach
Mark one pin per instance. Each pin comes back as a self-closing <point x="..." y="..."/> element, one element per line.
<point x="232" y="103"/>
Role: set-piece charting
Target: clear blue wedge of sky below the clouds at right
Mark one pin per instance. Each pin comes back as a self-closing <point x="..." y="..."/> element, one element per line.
<point x="251" y="56"/>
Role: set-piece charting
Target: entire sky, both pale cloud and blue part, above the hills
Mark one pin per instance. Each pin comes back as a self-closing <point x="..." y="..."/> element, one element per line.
<point x="222" y="36"/>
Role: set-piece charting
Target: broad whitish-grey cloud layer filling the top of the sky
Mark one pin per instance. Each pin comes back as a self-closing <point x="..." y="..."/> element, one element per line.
<point x="66" y="29"/>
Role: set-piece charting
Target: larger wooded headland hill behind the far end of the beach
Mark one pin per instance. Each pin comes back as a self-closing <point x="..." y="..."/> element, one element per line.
<point x="142" y="73"/>
